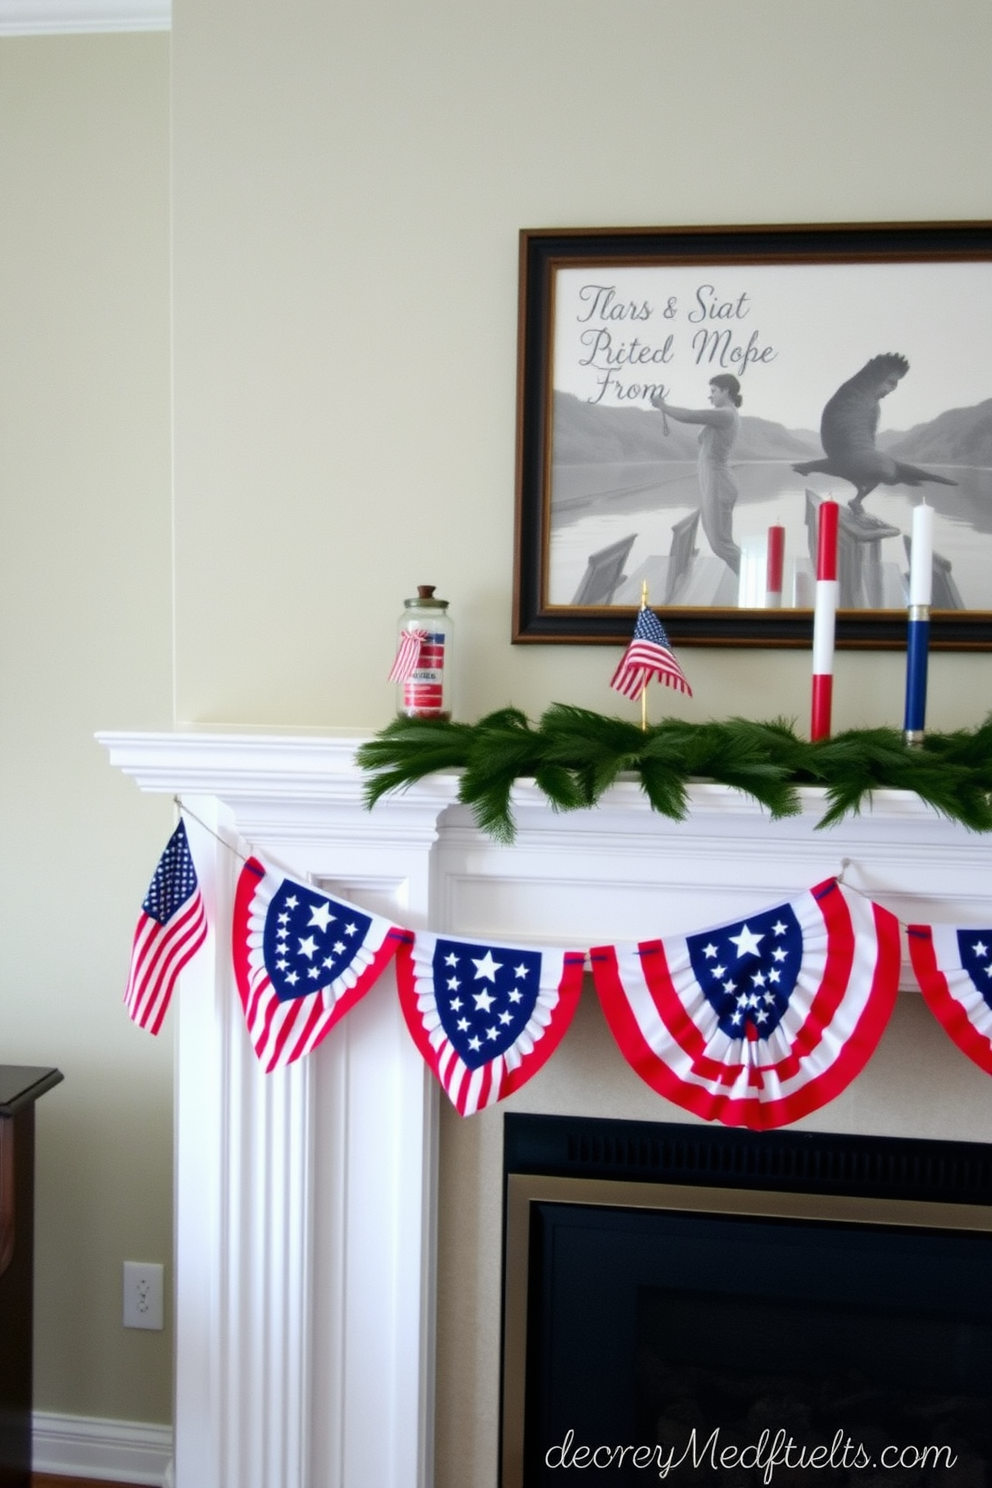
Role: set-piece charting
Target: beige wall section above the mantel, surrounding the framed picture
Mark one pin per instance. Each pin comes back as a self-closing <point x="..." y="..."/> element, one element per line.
<point x="350" y="181"/>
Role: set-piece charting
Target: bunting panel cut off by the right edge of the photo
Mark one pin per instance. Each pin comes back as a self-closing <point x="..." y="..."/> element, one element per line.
<point x="954" y="969"/>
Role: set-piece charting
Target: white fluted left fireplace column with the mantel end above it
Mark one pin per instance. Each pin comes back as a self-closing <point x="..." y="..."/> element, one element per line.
<point x="306" y="1199"/>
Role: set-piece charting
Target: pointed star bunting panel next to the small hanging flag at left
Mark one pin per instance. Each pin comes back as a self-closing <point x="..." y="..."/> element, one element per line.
<point x="301" y="961"/>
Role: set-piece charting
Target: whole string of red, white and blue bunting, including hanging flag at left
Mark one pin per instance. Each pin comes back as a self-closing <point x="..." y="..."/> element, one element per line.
<point x="753" y="1023"/>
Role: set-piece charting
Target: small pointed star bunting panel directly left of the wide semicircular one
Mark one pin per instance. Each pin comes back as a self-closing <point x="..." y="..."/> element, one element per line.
<point x="486" y="1017"/>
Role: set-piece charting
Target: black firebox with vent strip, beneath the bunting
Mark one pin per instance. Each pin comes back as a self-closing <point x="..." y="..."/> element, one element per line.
<point x="749" y="1350"/>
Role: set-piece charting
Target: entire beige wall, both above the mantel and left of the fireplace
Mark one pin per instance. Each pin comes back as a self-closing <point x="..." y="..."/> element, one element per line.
<point x="349" y="187"/>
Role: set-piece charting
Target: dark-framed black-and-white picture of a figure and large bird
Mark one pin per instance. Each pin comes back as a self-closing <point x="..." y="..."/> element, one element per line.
<point x="689" y="397"/>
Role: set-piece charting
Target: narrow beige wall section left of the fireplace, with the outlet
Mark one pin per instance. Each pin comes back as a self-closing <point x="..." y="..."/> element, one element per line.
<point x="86" y="644"/>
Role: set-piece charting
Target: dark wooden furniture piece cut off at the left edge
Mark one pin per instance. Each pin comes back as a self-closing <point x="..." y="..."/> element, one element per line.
<point x="20" y="1088"/>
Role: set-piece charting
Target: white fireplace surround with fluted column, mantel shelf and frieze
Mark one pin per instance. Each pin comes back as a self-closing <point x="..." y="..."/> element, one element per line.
<point x="306" y="1202"/>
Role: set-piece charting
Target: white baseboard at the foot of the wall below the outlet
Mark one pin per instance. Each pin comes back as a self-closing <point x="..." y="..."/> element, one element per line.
<point x="108" y="1452"/>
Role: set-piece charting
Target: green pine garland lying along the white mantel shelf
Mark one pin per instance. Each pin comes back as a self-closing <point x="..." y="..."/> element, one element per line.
<point x="576" y="755"/>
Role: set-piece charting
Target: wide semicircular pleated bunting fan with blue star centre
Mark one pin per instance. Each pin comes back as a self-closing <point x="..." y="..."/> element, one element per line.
<point x="759" y="1022"/>
